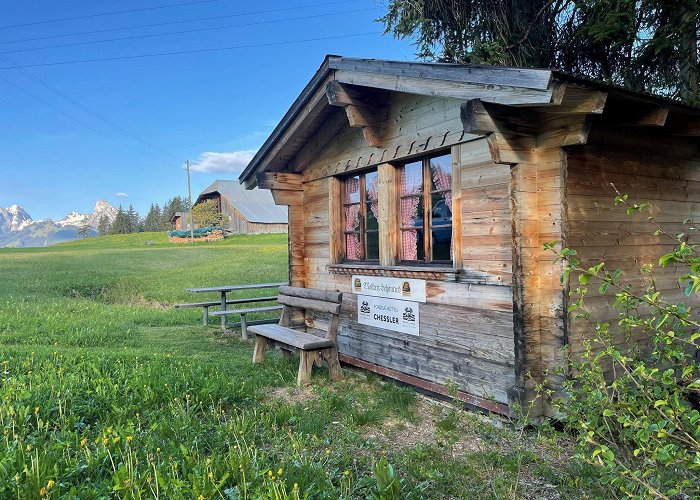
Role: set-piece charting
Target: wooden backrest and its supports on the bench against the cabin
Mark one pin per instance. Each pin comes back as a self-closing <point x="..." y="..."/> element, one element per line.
<point x="311" y="299"/>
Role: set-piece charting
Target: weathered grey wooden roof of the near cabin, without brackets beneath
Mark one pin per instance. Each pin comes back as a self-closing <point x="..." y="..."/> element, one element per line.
<point x="517" y="87"/>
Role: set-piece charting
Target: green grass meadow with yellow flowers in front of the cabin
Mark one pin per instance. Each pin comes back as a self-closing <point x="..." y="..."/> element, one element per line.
<point x="106" y="391"/>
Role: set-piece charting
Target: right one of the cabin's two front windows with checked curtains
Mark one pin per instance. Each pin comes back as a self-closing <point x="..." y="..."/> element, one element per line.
<point x="426" y="210"/>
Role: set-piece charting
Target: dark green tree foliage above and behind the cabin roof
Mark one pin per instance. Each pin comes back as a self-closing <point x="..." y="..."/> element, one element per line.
<point x="645" y="45"/>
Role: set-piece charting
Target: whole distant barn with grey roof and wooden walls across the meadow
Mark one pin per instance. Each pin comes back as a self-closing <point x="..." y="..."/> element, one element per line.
<point x="251" y="212"/>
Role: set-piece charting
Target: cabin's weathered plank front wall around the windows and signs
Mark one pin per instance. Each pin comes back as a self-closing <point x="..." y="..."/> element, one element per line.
<point x="466" y="326"/>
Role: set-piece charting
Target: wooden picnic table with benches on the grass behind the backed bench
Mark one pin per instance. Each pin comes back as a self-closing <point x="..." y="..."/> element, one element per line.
<point x="223" y="302"/>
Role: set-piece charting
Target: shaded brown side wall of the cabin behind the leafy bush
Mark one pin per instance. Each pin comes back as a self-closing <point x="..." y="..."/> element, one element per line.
<point x="649" y="167"/>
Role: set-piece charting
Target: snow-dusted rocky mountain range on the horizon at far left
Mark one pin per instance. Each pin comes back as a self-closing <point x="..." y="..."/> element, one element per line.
<point x="18" y="229"/>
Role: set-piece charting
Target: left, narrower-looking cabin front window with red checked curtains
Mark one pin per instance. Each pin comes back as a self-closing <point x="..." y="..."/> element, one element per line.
<point x="360" y="213"/>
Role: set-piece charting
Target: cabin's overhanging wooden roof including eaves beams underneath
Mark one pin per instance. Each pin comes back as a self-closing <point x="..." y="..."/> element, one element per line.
<point x="361" y="83"/>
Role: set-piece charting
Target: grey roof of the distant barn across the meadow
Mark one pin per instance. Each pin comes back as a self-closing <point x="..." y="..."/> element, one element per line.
<point x="255" y="206"/>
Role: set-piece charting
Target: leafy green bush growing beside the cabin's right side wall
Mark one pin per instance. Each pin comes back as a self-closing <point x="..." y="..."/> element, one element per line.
<point x="635" y="410"/>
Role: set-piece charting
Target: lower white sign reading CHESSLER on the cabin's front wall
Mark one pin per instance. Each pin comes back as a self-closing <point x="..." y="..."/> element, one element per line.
<point x="389" y="314"/>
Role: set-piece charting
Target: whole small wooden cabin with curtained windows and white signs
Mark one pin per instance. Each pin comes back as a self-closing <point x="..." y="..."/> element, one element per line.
<point x="425" y="192"/>
